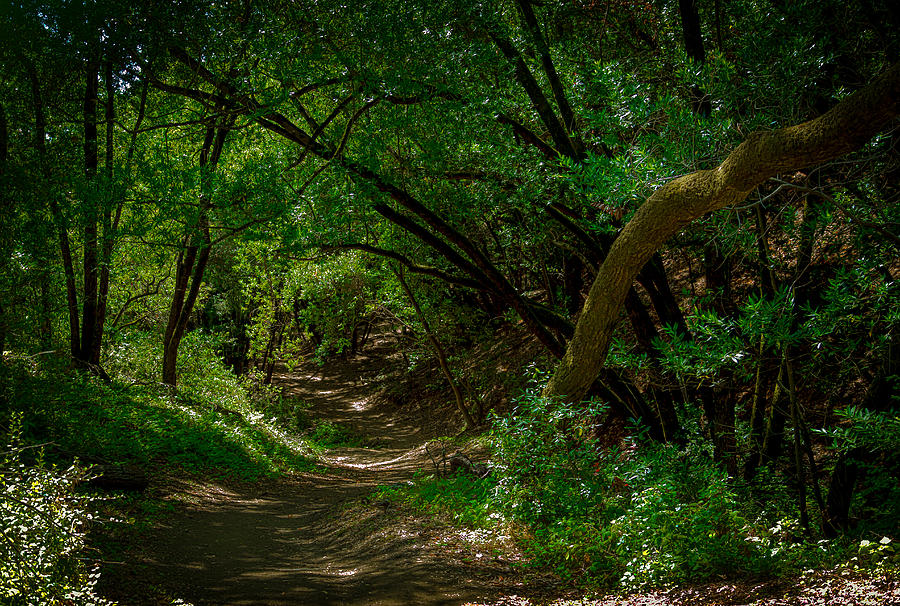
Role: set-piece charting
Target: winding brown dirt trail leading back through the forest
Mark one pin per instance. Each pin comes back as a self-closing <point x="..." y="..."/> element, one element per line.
<point x="315" y="539"/>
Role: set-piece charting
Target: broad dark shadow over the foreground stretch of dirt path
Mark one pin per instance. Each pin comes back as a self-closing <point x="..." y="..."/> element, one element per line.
<point x="299" y="545"/>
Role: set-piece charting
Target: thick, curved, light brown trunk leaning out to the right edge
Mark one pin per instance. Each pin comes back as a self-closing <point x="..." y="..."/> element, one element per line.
<point x="843" y="129"/>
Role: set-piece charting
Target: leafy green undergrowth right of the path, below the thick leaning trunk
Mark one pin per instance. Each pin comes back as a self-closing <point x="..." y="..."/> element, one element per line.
<point x="640" y="516"/>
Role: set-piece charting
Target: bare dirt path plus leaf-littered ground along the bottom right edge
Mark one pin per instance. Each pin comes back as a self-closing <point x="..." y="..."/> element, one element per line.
<point x="319" y="540"/>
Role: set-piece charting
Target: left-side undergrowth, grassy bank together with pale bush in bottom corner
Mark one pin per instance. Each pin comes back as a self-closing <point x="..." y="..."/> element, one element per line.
<point x="213" y="424"/>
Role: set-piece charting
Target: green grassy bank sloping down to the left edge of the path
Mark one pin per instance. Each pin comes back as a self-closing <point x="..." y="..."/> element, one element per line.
<point x="209" y="426"/>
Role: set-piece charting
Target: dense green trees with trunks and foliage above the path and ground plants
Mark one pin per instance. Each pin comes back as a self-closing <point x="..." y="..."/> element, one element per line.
<point x="691" y="207"/>
